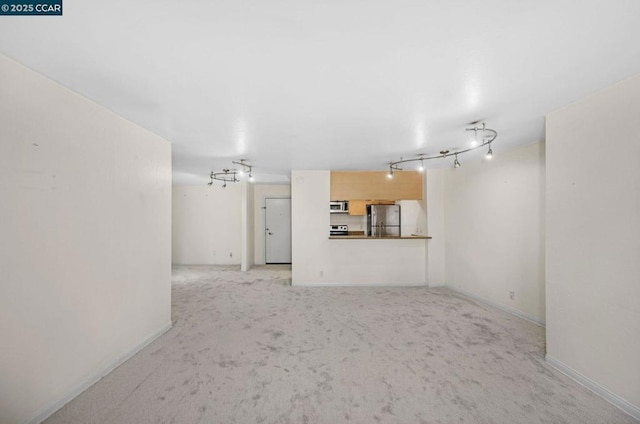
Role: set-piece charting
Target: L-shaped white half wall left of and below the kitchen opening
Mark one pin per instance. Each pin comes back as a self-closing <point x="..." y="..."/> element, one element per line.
<point x="320" y="261"/>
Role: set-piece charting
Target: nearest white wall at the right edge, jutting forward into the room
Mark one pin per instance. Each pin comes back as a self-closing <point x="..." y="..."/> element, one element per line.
<point x="593" y="239"/>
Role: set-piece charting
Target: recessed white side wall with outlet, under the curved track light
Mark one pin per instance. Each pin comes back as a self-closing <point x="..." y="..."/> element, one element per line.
<point x="494" y="229"/>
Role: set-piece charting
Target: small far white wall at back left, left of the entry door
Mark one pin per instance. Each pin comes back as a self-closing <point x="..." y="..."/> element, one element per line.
<point x="207" y="225"/>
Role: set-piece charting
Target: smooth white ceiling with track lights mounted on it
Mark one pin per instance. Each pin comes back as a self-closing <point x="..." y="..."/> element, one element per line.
<point x="328" y="84"/>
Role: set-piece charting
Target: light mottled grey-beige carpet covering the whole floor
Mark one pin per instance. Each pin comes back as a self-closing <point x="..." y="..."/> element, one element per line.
<point x="247" y="348"/>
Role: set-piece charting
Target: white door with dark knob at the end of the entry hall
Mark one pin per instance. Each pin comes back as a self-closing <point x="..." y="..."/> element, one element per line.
<point x="277" y="232"/>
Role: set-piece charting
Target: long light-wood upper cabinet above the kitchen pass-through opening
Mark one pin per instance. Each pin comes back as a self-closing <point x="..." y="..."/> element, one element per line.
<point x="363" y="185"/>
